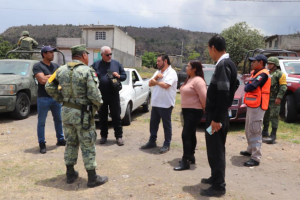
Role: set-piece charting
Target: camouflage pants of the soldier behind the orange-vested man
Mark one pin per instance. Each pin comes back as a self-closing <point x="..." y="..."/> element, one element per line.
<point x="272" y="115"/>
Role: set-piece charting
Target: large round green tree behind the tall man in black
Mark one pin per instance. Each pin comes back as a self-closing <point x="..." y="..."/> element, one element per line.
<point x="240" y="38"/>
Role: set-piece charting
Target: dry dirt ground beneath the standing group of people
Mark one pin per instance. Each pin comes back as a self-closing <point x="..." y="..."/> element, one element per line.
<point x="139" y="174"/>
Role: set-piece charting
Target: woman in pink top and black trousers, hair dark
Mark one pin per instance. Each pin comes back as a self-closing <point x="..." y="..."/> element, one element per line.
<point x="193" y="96"/>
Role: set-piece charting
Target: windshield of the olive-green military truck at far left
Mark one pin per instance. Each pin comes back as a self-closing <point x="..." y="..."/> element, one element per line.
<point x="14" y="67"/>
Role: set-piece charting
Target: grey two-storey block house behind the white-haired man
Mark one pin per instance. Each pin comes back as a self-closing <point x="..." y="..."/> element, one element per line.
<point x="94" y="37"/>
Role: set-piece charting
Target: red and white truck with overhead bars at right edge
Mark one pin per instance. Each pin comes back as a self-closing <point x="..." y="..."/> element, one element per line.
<point x="290" y="65"/>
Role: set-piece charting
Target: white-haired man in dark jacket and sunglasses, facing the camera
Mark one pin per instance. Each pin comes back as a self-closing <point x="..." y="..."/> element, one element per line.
<point x="110" y="96"/>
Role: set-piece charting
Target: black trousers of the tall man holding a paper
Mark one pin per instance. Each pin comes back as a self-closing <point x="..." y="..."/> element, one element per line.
<point x="215" y="145"/>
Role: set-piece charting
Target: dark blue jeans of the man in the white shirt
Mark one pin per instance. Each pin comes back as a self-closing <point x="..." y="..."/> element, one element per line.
<point x="164" y="114"/>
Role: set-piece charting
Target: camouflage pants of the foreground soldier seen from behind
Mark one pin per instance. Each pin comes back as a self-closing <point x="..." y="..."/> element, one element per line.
<point x="76" y="136"/>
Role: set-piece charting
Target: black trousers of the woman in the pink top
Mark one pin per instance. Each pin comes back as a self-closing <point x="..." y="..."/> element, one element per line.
<point x="191" y="118"/>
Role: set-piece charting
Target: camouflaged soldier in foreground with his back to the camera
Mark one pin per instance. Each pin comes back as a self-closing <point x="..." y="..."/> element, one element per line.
<point x="76" y="86"/>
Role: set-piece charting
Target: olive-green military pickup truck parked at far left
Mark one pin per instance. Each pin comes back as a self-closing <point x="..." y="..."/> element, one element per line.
<point x="18" y="85"/>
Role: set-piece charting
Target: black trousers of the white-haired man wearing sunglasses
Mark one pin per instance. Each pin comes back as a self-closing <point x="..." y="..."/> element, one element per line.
<point x="113" y="102"/>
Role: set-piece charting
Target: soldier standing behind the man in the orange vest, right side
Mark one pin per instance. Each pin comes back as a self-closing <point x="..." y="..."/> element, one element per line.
<point x="278" y="88"/>
